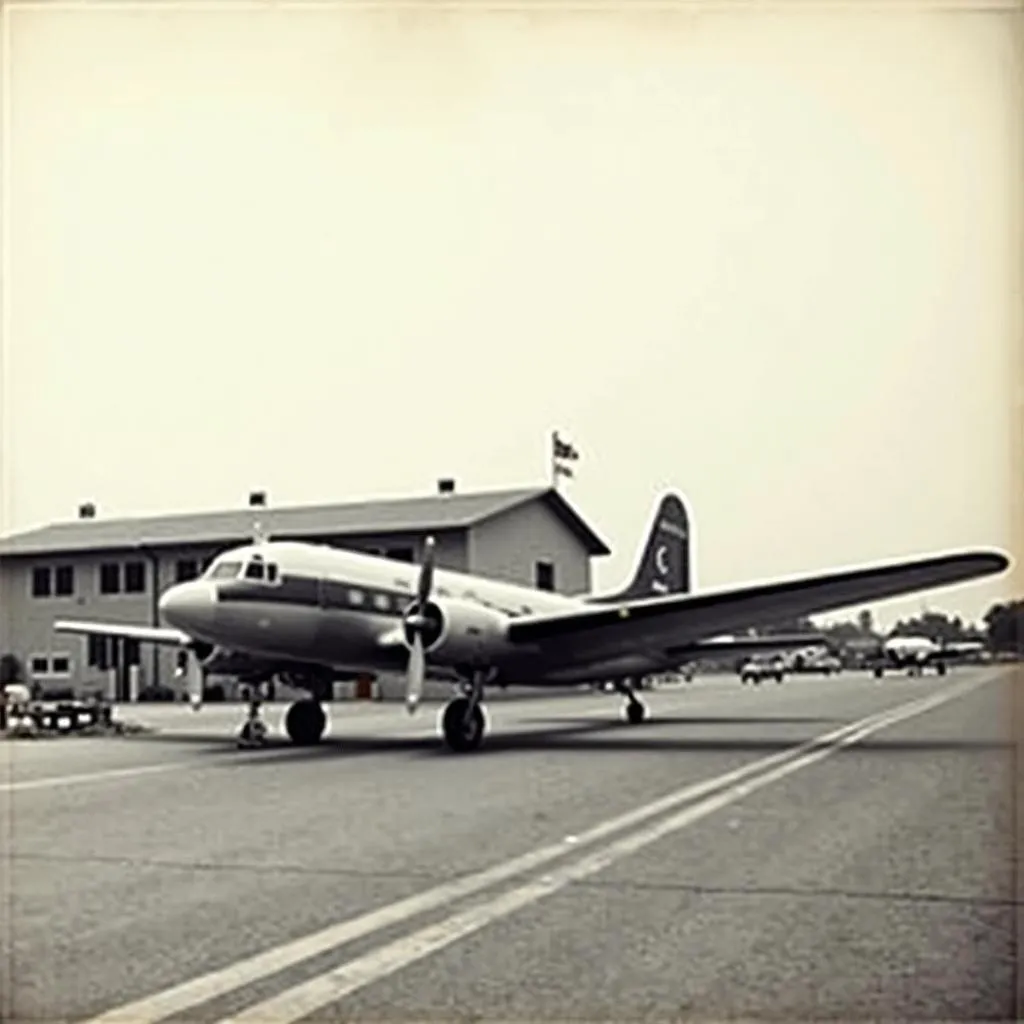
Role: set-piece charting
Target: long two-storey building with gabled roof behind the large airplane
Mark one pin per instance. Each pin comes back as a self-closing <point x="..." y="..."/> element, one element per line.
<point x="115" y="570"/>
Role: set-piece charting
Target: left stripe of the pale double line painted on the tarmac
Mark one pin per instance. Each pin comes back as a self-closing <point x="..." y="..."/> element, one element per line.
<point x="182" y="998"/>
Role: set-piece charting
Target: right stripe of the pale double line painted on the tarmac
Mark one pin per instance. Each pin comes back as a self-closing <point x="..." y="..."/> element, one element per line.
<point x="313" y="996"/>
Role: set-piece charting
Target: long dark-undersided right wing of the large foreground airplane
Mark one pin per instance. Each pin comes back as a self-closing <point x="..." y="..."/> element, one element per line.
<point x="688" y="619"/>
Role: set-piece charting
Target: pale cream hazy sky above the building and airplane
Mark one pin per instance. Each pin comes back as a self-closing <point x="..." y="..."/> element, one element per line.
<point x="339" y="252"/>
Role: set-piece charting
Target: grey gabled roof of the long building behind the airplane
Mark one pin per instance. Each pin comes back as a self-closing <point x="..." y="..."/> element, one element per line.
<point x="405" y="516"/>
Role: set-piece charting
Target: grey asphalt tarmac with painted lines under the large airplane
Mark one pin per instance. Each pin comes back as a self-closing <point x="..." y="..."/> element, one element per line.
<point x="874" y="879"/>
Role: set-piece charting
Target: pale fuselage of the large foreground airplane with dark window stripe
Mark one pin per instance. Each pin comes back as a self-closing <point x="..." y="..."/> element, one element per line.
<point x="325" y="607"/>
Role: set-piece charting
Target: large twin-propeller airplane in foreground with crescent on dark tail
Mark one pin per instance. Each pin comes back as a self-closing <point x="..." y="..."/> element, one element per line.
<point x="311" y="614"/>
